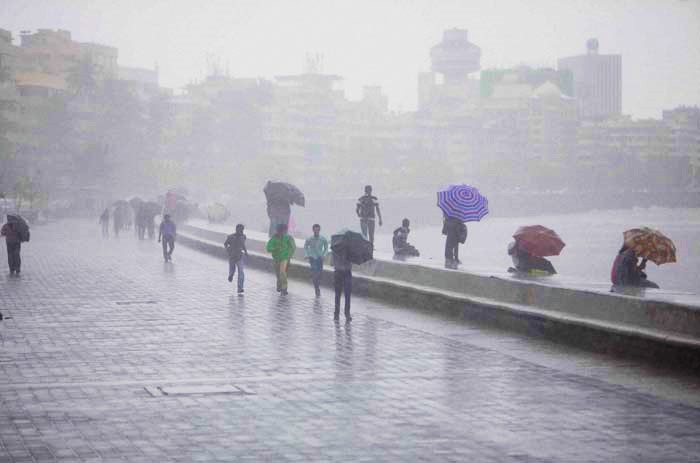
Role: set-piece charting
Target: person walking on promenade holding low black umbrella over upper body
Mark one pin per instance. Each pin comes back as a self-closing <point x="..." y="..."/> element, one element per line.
<point x="347" y="248"/>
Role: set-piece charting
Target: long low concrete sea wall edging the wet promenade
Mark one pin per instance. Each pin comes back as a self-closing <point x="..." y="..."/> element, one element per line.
<point x="593" y="320"/>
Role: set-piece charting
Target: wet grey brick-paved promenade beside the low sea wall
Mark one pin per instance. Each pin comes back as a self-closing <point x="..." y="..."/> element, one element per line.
<point x="112" y="355"/>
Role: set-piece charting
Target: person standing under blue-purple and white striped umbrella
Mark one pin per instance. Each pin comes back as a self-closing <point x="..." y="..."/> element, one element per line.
<point x="459" y="204"/>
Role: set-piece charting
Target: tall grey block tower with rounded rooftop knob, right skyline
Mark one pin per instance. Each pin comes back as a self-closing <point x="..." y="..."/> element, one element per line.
<point x="597" y="82"/>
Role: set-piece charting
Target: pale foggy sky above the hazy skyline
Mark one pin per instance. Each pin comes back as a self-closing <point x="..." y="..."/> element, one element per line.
<point x="385" y="42"/>
